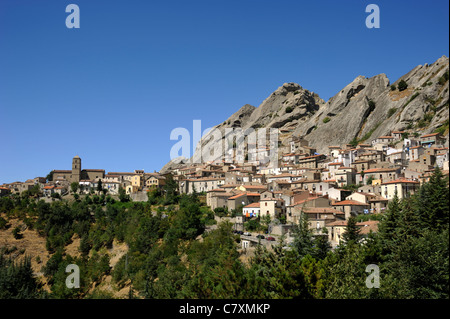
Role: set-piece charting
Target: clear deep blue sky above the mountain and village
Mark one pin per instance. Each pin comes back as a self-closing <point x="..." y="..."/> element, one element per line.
<point x="113" y="90"/>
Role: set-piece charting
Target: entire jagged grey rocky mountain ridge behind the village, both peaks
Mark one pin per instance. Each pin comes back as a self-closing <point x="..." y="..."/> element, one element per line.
<point x="363" y="110"/>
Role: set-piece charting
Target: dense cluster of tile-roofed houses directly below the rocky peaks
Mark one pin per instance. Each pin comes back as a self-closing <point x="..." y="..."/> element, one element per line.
<point x="329" y="188"/>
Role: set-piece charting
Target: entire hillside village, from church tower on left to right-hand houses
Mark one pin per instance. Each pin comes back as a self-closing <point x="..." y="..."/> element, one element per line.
<point x="347" y="180"/>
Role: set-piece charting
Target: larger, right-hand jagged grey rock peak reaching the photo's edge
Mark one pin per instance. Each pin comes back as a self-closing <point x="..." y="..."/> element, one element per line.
<point x="368" y="107"/>
